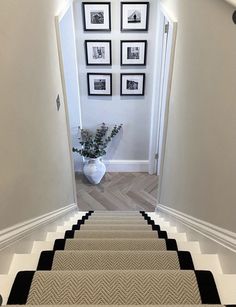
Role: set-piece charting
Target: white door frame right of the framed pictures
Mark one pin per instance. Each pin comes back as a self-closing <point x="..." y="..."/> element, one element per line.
<point x="161" y="92"/>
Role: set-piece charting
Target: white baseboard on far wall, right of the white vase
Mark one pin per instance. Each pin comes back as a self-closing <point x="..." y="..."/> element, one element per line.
<point x="127" y="165"/>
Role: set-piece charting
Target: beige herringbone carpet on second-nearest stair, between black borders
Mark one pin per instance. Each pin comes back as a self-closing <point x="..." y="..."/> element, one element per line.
<point x="108" y="260"/>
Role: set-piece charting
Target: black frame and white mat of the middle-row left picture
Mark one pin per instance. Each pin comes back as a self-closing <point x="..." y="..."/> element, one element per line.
<point x="98" y="62"/>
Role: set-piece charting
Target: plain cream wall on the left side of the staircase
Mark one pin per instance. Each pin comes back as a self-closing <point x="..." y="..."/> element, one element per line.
<point x="35" y="168"/>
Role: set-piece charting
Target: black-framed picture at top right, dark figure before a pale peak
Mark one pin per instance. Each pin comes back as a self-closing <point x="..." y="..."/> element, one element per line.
<point x="134" y="16"/>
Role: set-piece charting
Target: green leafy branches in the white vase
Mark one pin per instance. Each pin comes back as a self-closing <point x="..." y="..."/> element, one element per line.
<point x="94" y="146"/>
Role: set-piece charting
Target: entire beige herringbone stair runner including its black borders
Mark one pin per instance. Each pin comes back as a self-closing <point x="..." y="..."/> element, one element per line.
<point x="115" y="258"/>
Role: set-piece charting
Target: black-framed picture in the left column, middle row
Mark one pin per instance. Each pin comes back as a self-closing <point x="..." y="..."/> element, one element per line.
<point x="98" y="52"/>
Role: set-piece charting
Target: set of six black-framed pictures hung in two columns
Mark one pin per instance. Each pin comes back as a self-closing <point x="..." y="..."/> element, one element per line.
<point x="134" y="17"/>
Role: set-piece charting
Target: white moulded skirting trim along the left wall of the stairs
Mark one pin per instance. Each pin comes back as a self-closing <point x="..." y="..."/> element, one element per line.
<point x="13" y="234"/>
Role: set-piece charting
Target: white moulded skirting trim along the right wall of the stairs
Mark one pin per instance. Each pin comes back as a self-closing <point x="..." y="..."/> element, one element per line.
<point x="217" y="234"/>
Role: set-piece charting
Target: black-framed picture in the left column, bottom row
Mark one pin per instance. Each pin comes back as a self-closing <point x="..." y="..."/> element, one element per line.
<point x="99" y="84"/>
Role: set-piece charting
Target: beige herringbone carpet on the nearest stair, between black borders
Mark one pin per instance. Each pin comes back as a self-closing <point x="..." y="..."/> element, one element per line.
<point x="114" y="287"/>
